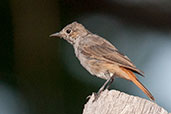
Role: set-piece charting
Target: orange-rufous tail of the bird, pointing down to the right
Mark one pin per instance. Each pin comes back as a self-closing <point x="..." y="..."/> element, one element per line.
<point x="137" y="82"/>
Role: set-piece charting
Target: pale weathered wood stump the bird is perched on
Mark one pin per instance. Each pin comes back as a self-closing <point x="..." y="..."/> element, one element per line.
<point x="116" y="102"/>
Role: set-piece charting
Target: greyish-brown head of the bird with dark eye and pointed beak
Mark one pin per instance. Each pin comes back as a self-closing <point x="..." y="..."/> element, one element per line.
<point x="71" y="32"/>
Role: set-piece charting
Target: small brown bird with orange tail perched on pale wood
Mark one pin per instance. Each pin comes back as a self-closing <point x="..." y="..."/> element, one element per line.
<point x="100" y="57"/>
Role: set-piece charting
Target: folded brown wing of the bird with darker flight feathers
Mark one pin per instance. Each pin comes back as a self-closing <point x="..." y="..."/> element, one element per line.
<point x="103" y="50"/>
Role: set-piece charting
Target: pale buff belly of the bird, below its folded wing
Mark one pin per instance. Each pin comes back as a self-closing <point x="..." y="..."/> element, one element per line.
<point x="102" y="69"/>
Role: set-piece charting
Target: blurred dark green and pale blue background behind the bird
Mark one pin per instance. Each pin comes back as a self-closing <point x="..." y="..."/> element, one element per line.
<point x="41" y="75"/>
